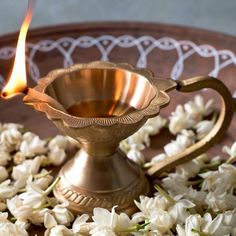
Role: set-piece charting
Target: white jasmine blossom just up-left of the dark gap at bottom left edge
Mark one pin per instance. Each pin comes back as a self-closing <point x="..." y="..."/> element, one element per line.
<point x="18" y="209"/>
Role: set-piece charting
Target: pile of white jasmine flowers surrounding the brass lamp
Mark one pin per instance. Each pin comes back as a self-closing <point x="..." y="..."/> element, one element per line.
<point x="199" y="198"/>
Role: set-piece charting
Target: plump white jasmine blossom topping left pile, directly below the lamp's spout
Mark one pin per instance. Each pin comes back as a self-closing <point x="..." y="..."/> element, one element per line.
<point x="33" y="147"/>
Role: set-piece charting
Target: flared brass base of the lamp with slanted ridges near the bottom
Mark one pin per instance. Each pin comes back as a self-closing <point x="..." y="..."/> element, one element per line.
<point x="88" y="182"/>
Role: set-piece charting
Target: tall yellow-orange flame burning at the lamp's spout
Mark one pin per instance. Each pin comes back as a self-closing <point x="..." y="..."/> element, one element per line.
<point x="18" y="82"/>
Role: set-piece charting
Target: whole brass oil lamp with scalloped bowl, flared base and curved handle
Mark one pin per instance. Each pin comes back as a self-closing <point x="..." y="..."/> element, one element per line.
<point x="99" y="104"/>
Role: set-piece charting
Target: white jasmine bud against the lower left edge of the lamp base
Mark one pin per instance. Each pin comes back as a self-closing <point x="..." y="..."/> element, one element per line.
<point x="62" y="215"/>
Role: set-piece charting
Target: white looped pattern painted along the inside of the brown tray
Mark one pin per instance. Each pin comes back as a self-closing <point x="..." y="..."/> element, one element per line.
<point x="106" y="43"/>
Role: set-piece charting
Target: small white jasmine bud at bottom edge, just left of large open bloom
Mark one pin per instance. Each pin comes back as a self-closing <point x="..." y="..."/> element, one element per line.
<point x="80" y="225"/>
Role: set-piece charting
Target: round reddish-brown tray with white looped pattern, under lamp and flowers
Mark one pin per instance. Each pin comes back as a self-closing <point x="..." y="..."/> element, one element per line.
<point x="168" y="50"/>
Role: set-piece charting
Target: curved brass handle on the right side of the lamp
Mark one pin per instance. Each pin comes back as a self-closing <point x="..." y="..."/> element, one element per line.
<point x="218" y="131"/>
